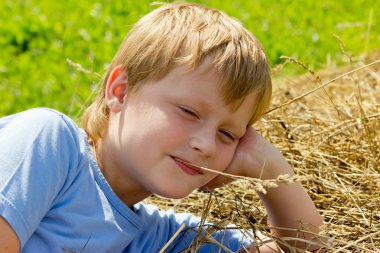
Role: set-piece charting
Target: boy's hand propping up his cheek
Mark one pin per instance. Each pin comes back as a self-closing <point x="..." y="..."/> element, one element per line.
<point x="254" y="157"/>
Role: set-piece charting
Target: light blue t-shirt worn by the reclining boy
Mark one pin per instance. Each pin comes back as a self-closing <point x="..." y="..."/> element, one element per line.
<point x="55" y="197"/>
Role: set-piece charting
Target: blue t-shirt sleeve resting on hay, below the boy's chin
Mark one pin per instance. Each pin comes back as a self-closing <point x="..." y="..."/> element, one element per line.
<point x="160" y="226"/>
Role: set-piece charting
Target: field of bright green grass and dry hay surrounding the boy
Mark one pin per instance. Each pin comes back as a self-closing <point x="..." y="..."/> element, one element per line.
<point x="53" y="54"/>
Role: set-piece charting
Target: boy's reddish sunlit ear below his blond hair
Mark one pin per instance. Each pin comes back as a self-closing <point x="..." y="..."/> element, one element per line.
<point x="116" y="89"/>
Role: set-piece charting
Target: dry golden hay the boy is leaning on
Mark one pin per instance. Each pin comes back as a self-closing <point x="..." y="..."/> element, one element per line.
<point x="333" y="143"/>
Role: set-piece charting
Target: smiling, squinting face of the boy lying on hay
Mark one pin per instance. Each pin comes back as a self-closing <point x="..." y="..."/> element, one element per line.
<point x="181" y="117"/>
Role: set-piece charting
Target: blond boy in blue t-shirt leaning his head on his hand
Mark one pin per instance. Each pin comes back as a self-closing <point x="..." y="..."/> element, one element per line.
<point x="181" y="94"/>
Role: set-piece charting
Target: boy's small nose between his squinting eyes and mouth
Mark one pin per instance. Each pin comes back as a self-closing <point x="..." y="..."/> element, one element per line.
<point x="204" y="142"/>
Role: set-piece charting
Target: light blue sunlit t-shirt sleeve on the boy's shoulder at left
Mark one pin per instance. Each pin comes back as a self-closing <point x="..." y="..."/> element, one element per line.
<point x="37" y="152"/>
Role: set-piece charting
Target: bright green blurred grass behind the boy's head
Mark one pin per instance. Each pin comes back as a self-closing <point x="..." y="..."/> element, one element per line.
<point x="36" y="38"/>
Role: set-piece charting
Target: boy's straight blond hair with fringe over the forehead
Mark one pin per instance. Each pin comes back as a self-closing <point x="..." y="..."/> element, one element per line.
<point x="185" y="34"/>
